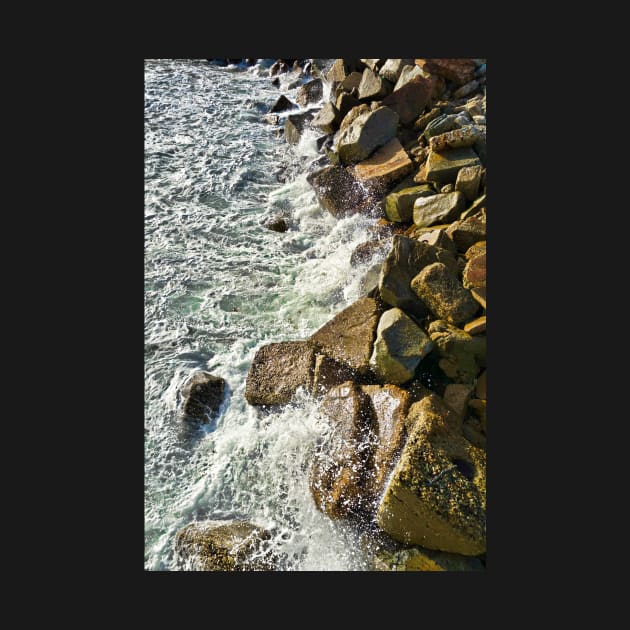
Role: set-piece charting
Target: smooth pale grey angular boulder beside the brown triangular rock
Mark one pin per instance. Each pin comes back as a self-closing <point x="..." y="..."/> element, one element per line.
<point x="399" y="347"/>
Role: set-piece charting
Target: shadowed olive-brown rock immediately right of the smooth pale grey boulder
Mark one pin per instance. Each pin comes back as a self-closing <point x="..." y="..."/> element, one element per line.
<point x="461" y="356"/>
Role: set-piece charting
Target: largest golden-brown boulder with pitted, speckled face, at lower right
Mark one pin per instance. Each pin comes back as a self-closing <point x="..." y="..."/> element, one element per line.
<point x="436" y="497"/>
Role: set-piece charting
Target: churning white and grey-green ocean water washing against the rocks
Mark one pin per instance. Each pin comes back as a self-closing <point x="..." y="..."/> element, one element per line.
<point x="218" y="286"/>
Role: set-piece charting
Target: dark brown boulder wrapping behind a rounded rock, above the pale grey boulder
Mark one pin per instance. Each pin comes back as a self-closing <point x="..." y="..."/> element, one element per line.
<point x="406" y="258"/>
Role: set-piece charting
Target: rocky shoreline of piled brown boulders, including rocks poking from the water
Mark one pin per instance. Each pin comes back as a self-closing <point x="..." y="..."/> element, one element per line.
<point x="401" y="372"/>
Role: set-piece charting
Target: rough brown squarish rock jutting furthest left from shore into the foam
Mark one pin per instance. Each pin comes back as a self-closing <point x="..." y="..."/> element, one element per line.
<point x="276" y="372"/>
